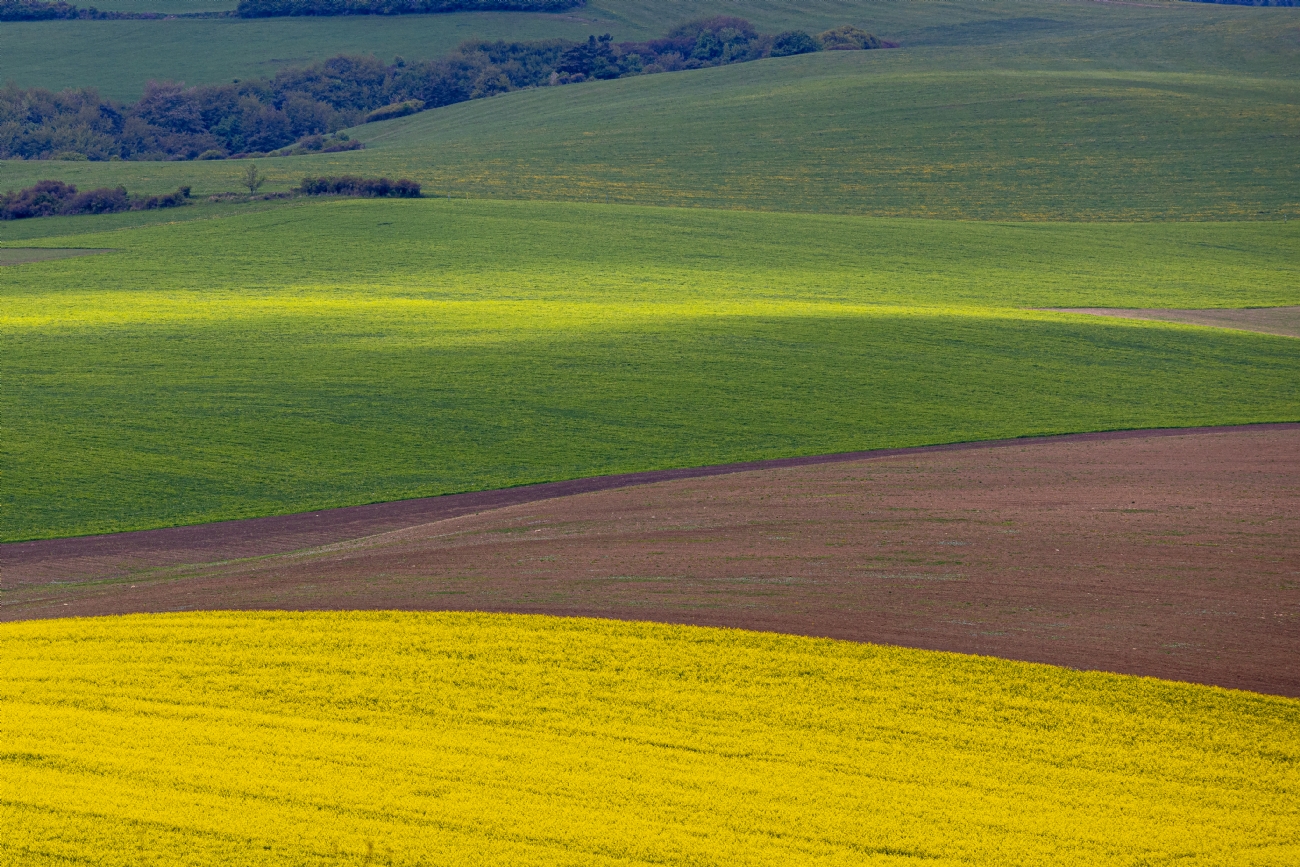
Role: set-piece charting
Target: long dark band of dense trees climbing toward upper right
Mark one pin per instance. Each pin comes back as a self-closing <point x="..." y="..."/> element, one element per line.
<point x="304" y="109"/>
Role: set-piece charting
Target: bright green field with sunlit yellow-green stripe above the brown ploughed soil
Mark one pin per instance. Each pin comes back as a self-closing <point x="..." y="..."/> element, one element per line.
<point x="352" y="352"/>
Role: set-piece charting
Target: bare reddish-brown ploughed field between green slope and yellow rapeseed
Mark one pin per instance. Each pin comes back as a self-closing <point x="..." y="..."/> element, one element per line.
<point x="1175" y="554"/>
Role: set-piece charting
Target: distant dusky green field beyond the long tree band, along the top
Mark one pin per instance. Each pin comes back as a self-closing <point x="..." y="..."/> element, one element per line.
<point x="1017" y="34"/>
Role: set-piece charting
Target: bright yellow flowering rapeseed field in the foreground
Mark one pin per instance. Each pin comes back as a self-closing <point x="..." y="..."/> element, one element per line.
<point x="452" y="739"/>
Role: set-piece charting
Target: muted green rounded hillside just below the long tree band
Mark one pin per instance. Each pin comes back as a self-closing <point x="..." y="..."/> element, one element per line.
<point x="876" y="133"/>
